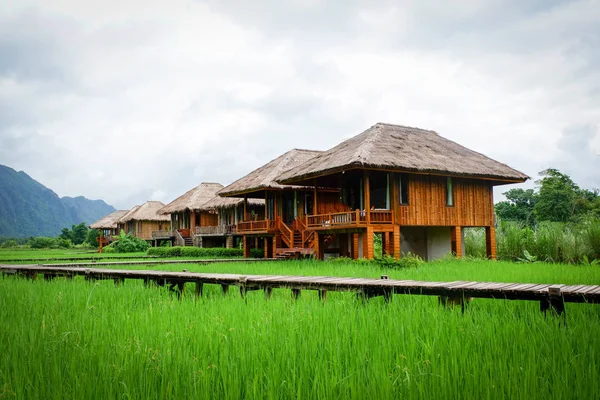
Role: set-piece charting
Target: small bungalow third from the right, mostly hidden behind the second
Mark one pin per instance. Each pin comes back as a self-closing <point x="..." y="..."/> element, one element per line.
<point x="229" y="211"/>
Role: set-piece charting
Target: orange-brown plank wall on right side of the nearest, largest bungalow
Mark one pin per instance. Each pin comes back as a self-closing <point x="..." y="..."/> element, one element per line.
<point x="473" y="202"/>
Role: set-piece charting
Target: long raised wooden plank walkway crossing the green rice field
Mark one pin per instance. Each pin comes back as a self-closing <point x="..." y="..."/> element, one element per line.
<point x="549" y="296"/>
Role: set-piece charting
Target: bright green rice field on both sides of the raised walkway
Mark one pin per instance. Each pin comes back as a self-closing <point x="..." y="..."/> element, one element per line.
<point x="77" y="339"/>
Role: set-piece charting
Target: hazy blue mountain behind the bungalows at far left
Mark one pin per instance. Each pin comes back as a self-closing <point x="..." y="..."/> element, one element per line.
<point x="28" y="208"/>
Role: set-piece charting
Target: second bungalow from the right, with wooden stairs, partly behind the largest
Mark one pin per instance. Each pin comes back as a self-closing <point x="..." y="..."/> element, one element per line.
<point x="280" y="228"/>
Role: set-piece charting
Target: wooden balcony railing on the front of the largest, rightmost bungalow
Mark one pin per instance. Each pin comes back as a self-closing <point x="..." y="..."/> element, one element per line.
<point x="356" y="217"/>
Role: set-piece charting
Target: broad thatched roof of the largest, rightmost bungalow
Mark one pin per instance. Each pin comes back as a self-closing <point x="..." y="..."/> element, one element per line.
<point x="401" y="148"/>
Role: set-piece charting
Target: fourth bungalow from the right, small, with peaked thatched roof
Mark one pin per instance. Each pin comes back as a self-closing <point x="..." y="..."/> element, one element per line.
<point x="187" y="216"/>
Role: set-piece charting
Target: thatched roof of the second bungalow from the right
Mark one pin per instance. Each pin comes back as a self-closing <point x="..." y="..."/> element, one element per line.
<point x="264" y="177"/>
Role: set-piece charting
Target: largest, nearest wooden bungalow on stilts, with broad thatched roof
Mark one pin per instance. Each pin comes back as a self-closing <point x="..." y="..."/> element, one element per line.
<point x="412" y="186"/>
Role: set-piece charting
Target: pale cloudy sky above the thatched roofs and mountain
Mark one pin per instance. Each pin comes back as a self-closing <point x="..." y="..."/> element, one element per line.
<point x="129" y="101"/>
